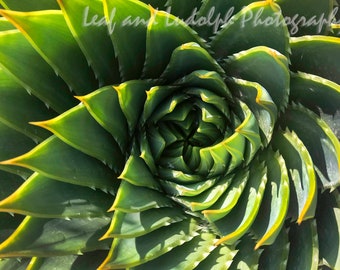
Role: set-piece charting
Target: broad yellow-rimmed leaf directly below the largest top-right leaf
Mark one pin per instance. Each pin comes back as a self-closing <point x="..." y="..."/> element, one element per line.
<point x="250" y="65"/>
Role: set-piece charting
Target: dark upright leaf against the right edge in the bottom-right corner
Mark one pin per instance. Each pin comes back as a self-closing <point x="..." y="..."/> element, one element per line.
<point x="328" y="225"/>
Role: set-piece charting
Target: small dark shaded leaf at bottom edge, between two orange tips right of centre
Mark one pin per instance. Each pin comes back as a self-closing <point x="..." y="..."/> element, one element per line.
<point x="275" y="256"/>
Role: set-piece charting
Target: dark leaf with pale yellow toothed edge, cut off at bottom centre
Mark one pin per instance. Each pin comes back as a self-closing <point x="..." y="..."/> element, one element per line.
<point x="186" y="256"/>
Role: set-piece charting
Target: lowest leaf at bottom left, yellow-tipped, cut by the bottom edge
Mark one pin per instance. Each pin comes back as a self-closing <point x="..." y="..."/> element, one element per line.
<point x="88" y="260"/>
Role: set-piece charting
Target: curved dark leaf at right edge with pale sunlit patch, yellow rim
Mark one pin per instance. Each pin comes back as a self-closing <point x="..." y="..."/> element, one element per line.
<point x="321" y="143"/>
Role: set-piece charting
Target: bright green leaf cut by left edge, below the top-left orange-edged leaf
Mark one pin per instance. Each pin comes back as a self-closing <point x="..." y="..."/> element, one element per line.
<point x="32" y="72"/>
